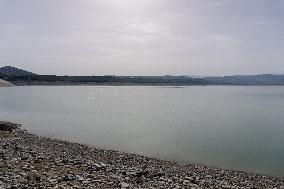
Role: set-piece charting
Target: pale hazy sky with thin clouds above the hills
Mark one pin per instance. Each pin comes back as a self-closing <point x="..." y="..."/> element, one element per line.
<point x="143" y="37"/>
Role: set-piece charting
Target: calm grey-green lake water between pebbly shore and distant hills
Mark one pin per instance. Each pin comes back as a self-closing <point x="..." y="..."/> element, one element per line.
<point x="238" y="128"/>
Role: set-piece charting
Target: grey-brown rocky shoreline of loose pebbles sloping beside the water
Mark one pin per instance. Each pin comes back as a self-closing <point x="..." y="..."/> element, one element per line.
<point x="30" y="161"/>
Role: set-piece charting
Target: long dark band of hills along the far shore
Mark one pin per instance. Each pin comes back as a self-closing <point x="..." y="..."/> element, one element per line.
<point x="22" y="77"/>
